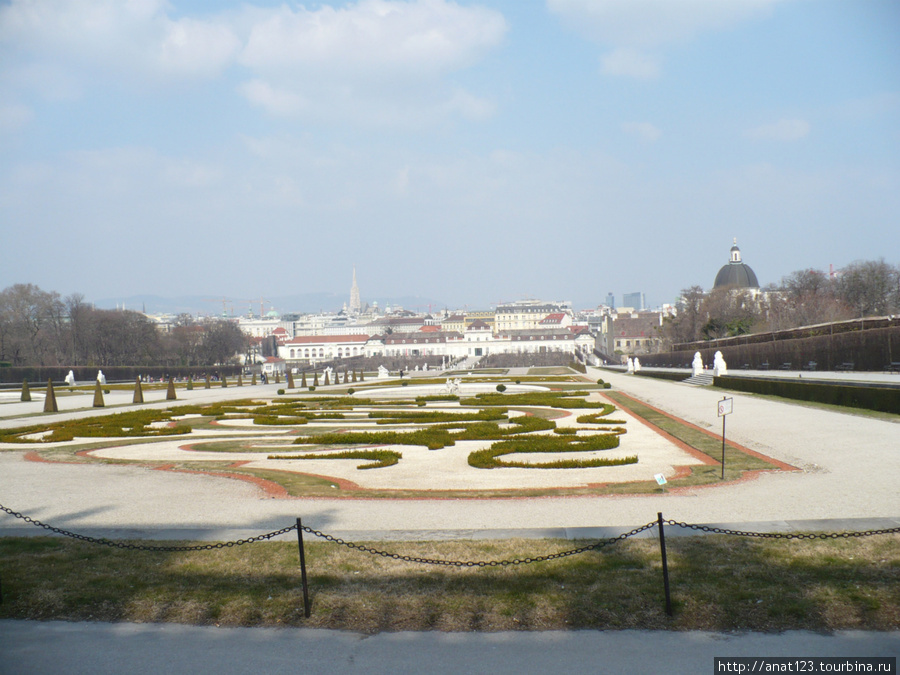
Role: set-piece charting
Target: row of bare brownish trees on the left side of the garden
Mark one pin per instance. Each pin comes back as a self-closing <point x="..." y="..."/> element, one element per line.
<point x="40" y="328"/>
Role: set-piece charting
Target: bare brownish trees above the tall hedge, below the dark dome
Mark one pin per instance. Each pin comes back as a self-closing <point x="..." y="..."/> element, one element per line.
<point x="802" y="298"/>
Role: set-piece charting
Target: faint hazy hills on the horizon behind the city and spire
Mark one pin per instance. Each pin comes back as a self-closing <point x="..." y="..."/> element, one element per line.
<point x="301" y="304"/>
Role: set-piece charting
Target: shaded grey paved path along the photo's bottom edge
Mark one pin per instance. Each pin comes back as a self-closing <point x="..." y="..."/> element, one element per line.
<point x="98" y="649"/>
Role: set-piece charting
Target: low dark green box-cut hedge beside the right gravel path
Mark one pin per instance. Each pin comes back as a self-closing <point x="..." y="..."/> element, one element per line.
<point x="881" y="399"/>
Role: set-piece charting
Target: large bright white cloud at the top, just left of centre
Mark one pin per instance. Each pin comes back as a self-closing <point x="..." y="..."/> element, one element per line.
<point x="374" y="62"/>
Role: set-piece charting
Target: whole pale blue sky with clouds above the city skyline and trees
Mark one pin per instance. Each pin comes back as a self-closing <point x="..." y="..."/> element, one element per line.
<point x="468" y="152"/>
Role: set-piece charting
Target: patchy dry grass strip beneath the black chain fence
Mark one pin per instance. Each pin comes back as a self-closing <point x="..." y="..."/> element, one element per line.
<point x="718" y="583"/>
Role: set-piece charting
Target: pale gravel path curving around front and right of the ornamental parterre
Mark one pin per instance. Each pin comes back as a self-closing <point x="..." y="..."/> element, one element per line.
<point x="849" y="469"/>
